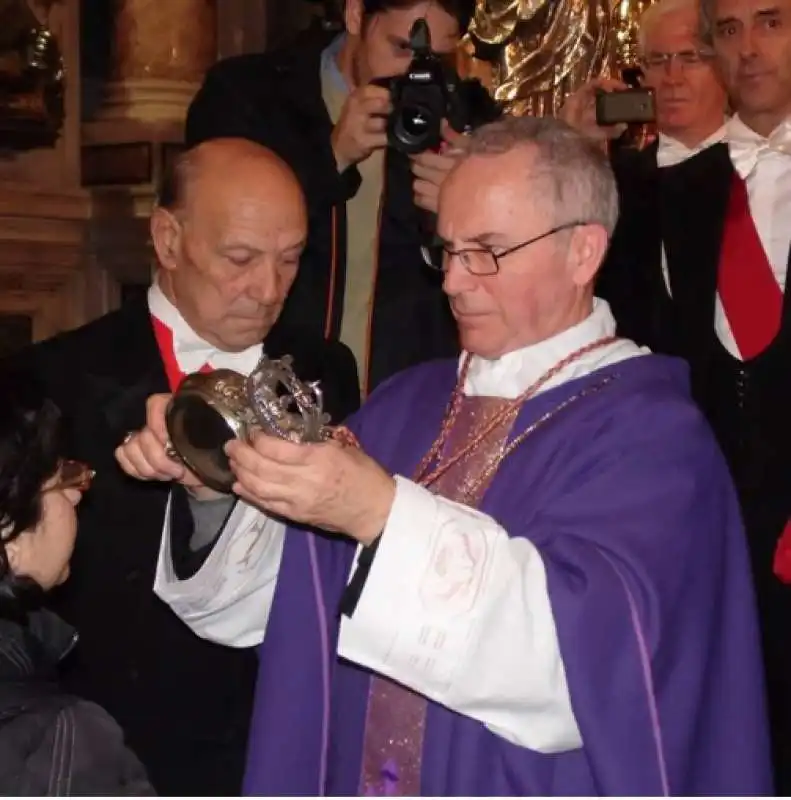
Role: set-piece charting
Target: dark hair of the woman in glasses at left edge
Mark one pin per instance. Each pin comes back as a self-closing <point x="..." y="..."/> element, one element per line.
<point x="30" y="454"/>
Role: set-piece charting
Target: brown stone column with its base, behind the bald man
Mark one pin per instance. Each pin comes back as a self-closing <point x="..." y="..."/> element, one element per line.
<point x="160" y="52"/>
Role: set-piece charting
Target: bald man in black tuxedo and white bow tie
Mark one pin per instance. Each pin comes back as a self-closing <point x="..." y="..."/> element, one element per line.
<point x="228" y="234"/>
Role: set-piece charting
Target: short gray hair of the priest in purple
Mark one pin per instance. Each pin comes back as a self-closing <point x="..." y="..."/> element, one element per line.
<point x="574" y="170"/>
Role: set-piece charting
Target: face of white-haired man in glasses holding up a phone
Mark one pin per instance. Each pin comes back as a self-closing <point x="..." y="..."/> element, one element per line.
<point x="689" y="96"/>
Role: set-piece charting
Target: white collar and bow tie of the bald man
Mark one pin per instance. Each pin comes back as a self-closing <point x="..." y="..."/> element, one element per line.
<point x="191" y="351"/>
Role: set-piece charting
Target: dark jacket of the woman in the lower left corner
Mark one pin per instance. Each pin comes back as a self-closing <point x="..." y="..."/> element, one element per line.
<point x="52" y="743"/>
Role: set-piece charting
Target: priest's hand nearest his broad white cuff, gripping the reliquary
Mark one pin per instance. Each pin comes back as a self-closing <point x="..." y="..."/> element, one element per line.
<point x="328" y="485"/>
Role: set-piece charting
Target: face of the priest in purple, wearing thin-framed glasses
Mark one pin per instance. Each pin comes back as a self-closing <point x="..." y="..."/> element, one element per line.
<point x="490" y="202"/>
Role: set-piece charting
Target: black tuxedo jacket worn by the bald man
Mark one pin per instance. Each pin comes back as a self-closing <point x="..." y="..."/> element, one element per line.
<point x="183" y="702"/>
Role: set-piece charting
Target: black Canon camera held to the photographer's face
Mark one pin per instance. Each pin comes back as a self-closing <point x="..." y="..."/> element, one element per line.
<point x="430" y="91"/>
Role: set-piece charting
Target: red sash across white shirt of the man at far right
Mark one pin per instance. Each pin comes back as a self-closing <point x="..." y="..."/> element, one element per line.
<point x="748" y="289"/>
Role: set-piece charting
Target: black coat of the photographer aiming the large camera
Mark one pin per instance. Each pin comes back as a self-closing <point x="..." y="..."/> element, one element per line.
<point x="275" y="100"/>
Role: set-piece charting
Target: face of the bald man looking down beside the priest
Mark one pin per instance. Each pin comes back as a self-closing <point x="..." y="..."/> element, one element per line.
<point x="235" y="253"/>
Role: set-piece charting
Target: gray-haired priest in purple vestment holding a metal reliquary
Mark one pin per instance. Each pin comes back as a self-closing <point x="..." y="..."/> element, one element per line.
<point x="530" y="578"/>
